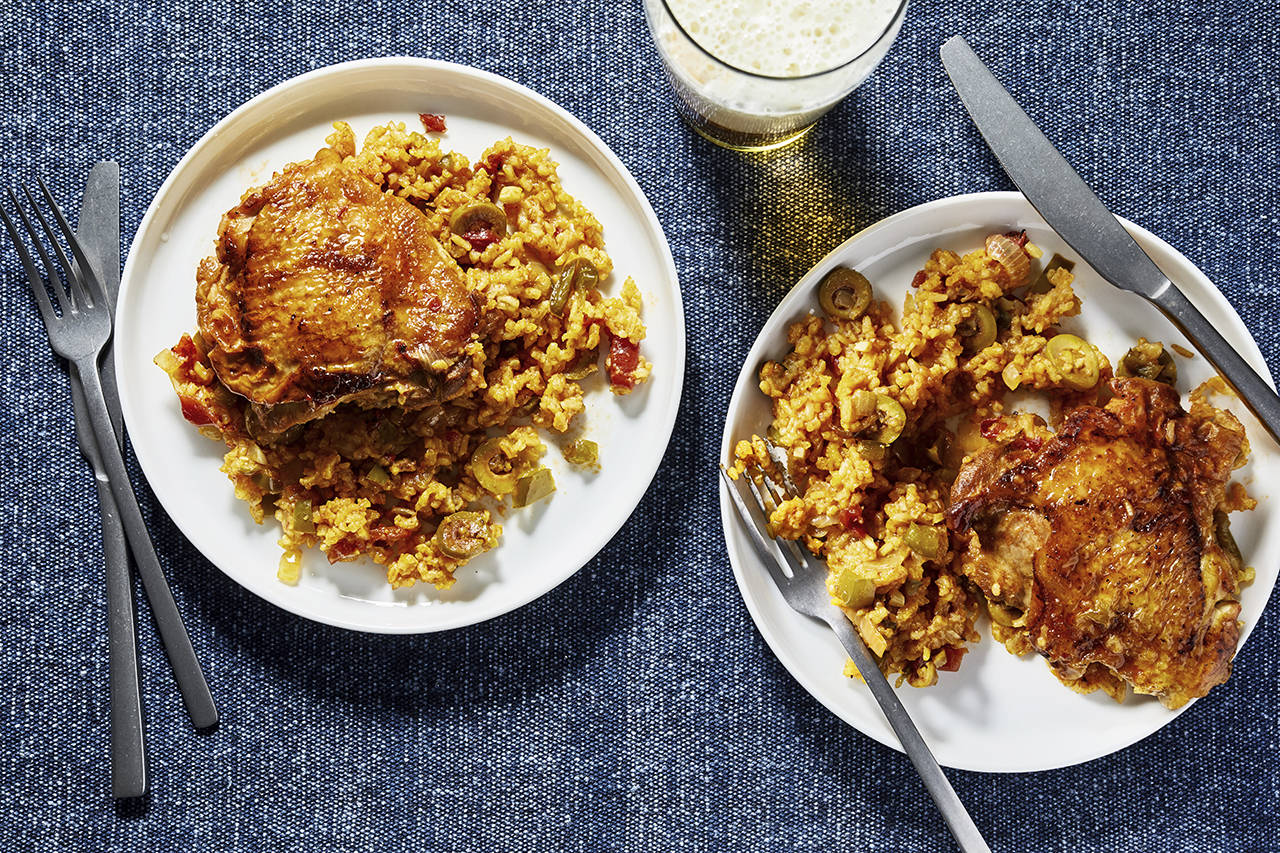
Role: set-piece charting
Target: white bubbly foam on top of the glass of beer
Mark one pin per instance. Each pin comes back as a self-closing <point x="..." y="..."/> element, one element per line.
<point x="784" y="38"/>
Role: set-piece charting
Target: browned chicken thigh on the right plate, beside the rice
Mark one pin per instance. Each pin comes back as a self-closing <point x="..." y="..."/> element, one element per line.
<point x="1103" y="542"/>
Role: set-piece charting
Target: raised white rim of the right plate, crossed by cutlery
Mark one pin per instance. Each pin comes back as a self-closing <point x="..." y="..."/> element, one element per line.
<point x="744" y="385"/>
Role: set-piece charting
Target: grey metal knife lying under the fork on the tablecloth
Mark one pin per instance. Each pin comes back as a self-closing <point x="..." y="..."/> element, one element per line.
<point x="98" y="232"/>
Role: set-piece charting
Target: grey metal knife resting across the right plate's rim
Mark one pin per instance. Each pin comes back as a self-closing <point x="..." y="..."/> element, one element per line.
<point x="1072" y="209"/>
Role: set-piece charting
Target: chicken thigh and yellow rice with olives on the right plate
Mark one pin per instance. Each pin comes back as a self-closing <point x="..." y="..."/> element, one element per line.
<point x="1096" y="537"/>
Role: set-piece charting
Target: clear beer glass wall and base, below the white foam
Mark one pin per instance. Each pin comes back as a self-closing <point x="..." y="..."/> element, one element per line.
<point x="751" y="112"/>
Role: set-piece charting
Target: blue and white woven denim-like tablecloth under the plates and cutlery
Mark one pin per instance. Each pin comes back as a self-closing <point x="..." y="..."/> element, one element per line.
<point x="637" y="706"/>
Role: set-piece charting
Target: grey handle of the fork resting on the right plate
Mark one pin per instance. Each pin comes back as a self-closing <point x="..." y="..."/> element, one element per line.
<point x="954" y="813"/>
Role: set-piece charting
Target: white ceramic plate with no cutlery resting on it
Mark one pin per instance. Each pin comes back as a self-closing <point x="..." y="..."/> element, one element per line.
<point x="542" y="546"/>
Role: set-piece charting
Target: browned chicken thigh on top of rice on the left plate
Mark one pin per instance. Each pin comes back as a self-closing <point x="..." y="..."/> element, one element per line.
<point x="327" y="290"/>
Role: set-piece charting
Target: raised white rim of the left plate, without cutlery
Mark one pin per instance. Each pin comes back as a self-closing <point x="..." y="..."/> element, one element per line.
<point x="629" y="190"/>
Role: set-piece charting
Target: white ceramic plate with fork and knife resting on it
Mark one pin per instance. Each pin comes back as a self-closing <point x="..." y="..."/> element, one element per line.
<point x="999" y="713"/>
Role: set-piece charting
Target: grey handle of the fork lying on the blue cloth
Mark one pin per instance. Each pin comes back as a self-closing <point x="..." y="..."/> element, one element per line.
<point x="173" y="633"/>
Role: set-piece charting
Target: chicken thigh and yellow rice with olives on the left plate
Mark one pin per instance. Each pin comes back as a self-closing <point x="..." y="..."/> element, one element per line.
<point x="382" y="334"/>
